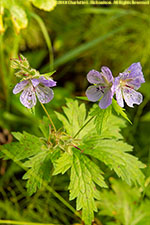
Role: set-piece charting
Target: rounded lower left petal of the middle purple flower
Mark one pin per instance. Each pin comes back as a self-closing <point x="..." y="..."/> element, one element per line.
<point x="94" y="93"/>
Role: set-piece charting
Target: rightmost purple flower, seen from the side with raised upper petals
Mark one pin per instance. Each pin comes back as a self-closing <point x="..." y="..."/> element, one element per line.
<point x="126" y="84"/>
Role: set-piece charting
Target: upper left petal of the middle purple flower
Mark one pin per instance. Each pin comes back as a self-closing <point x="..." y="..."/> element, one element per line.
<point x="94" y="77"/>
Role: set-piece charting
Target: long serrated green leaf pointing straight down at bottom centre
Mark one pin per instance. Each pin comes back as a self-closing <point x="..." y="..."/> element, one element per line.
<point x="84" y="175"/>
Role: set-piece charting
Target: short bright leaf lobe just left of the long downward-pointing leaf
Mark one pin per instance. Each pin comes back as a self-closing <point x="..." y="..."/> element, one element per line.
<point x="63" y="164"/>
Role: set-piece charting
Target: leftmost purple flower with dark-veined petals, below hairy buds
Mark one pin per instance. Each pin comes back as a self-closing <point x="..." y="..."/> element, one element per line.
<point x="35" y="87"/>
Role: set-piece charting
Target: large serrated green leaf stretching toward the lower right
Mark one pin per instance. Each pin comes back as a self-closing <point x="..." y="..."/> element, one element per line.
<point x="114" y="154"/>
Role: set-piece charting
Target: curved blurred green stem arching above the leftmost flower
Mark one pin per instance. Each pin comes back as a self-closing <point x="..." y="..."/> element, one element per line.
<point x="47" y="38"/>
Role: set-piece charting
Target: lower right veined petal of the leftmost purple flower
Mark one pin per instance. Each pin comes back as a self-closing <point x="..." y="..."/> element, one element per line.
<point x="44" y="94"/>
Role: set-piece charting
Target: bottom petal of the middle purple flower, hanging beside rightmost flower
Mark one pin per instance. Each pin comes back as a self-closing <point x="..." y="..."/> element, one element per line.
<point x="106" y="100"/>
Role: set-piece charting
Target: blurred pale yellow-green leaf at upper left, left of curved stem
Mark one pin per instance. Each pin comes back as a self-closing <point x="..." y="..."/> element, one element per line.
<point x="19" y="17"/>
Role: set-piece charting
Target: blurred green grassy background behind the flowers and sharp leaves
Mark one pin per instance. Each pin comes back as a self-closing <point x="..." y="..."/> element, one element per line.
<point x="79" y="38"/>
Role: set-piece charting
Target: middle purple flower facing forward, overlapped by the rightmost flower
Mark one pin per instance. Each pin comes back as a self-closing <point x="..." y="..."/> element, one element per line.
<point x="103" y="87"/>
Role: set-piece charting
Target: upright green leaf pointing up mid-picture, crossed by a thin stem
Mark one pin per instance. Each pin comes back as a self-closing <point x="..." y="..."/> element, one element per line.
<point x="75" y="118"/>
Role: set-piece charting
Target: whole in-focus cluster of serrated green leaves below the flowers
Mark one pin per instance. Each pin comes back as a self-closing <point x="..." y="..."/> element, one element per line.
<point x="71" y="150"/>
